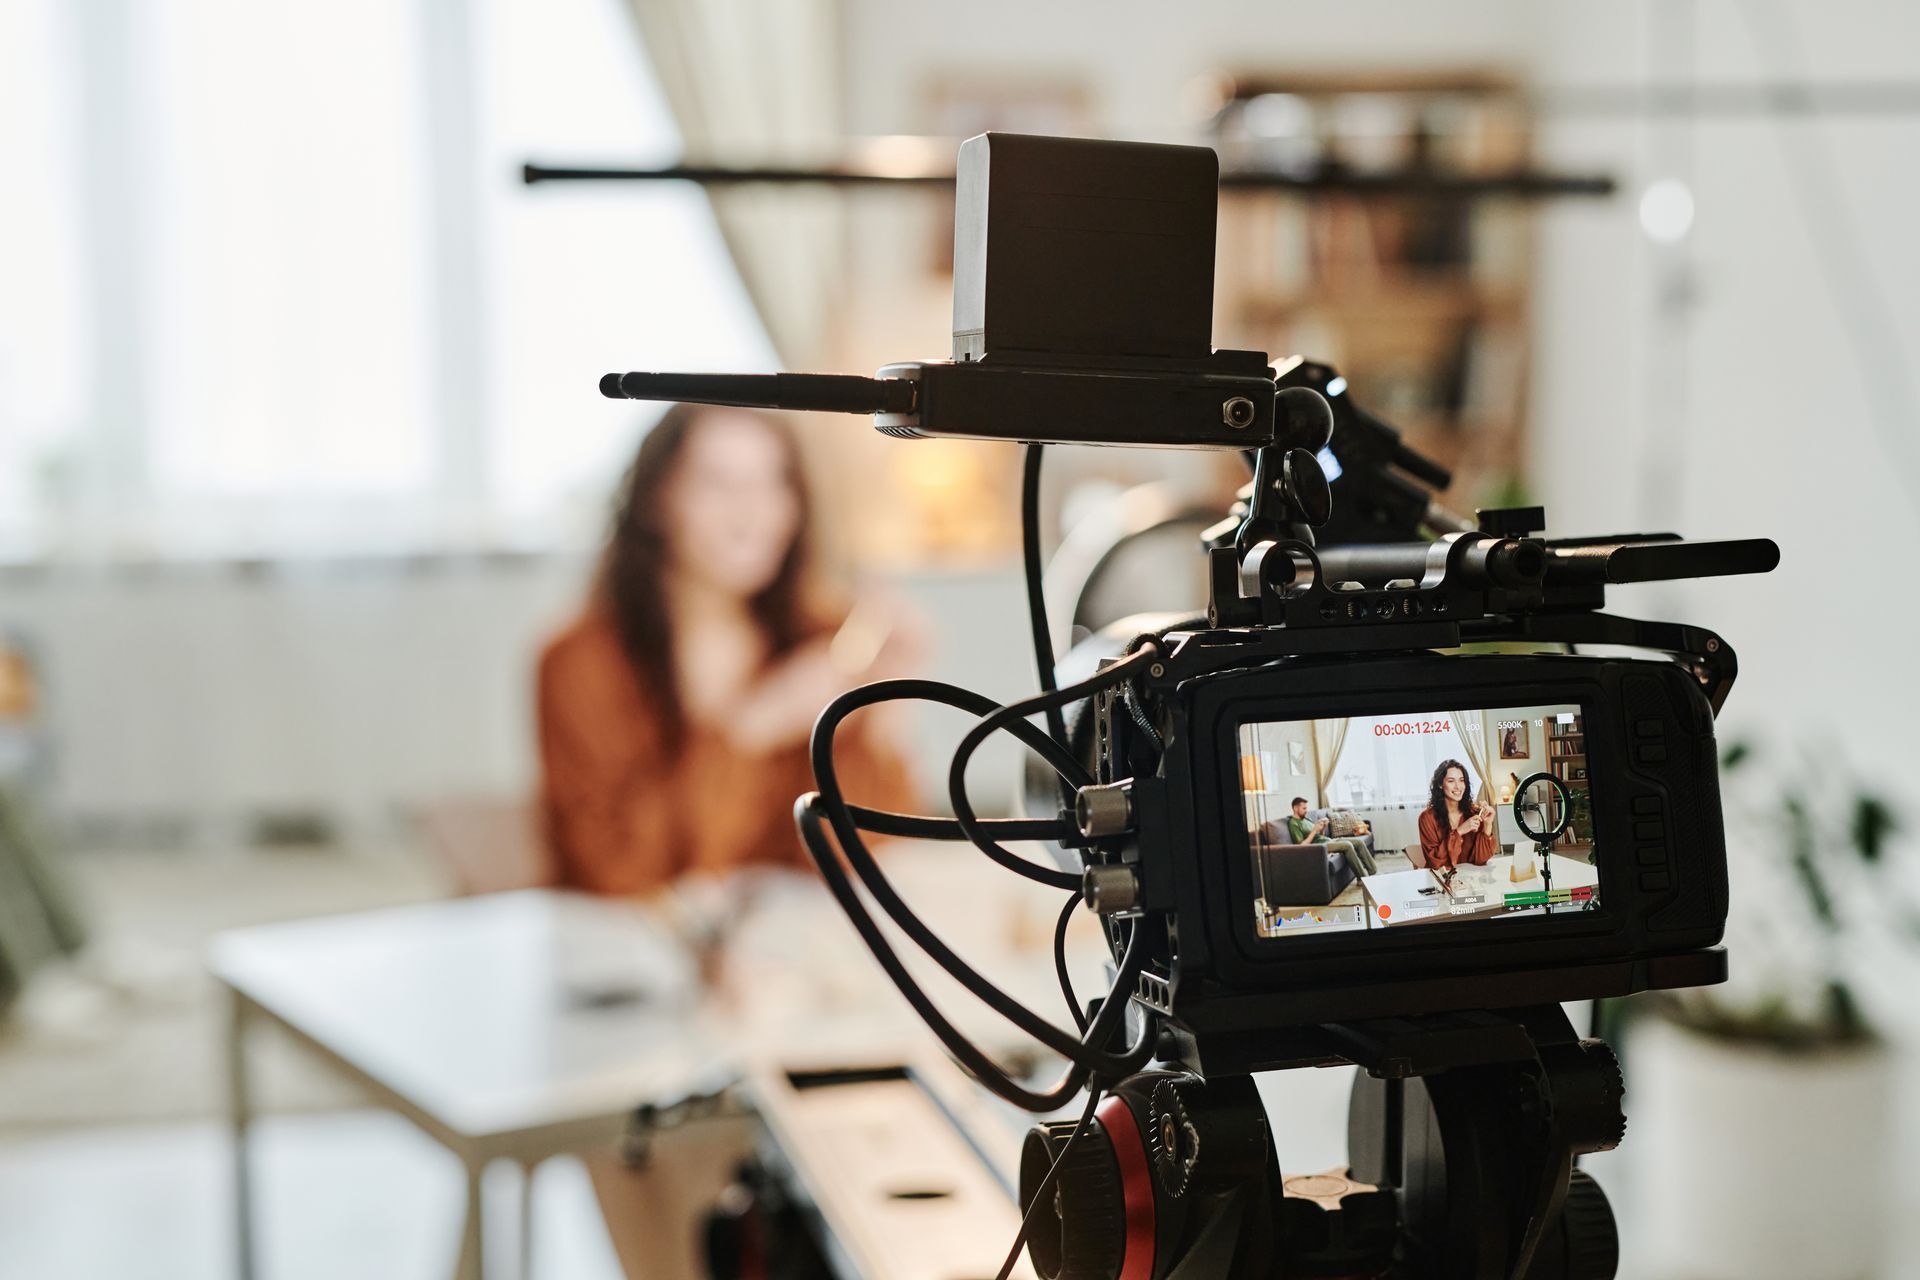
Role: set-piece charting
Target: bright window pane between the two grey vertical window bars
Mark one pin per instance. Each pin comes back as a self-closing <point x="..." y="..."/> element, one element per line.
<point x="289" y="316"/>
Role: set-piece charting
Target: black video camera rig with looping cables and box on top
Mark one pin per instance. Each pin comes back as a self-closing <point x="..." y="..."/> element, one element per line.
<point x="1084" y="277"/>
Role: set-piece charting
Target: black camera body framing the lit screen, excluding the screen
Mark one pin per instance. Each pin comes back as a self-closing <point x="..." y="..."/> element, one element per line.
<point x="1249" y="1003"/>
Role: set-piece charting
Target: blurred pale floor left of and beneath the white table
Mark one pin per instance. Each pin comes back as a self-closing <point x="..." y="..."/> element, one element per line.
<point x="114" y="1162"/>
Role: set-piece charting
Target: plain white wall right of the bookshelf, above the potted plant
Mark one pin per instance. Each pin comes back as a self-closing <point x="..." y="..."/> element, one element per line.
<point x="1754" y="415"/>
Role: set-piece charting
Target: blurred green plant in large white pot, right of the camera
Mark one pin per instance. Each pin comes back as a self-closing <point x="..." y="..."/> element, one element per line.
<point x="1764" y="1110"/>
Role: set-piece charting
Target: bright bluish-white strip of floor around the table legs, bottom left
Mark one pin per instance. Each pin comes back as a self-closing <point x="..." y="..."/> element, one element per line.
<point x="341" y="1195"/>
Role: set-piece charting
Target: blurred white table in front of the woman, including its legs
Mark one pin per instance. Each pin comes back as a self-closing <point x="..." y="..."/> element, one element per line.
<point x="492" y="1024"/>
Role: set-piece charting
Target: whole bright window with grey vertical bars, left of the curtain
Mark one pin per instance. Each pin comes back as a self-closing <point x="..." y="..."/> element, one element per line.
<point x="327" y="312"/>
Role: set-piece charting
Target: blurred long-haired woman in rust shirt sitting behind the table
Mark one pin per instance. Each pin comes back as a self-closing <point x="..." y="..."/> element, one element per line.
<point x="675" y="713"/>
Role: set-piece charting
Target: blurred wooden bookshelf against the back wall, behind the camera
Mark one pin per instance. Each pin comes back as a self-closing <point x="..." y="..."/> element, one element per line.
<point x="1420" y="298"/>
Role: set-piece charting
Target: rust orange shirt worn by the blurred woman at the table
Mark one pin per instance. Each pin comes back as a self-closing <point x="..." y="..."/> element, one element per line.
<point x="625" y="813"/>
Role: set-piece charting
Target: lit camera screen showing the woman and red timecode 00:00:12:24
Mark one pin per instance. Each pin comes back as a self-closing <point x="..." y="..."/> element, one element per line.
<point x="1404" y="820"/>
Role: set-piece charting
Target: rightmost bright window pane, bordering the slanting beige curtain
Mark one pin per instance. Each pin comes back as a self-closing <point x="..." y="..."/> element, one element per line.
<point x="590" y="277"/>
